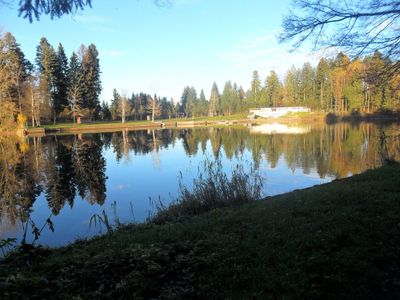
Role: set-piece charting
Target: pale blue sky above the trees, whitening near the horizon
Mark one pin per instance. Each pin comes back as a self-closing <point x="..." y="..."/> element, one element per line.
<point x="145" y="48"/>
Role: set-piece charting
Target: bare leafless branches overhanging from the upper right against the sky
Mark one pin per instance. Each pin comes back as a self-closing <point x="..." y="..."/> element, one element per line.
<point x="359" y="26"/>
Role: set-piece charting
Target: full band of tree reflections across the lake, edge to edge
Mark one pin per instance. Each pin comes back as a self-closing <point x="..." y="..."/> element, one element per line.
<point x="64" y="166"/>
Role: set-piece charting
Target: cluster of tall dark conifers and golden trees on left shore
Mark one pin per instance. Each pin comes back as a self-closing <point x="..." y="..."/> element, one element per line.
<point x="53" y="87"/>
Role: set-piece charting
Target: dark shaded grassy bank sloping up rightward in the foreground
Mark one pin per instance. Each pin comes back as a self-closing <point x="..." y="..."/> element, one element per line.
<point x="338" y="240"/>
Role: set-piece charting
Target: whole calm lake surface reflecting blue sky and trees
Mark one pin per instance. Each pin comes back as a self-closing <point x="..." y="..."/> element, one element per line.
<point x="70" y="178"/>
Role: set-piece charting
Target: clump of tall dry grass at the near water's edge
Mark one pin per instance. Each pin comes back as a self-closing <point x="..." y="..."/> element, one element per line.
<point x="213" y="188"/>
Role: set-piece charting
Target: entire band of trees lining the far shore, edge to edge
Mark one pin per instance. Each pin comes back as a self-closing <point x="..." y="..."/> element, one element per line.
<point x="57" y="89"/>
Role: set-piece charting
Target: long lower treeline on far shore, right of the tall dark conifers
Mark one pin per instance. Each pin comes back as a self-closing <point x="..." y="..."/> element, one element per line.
<point x="339" y="84"/>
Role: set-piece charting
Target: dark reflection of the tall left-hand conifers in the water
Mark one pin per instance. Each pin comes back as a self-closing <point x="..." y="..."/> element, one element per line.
<point x="60" y="166"/>
